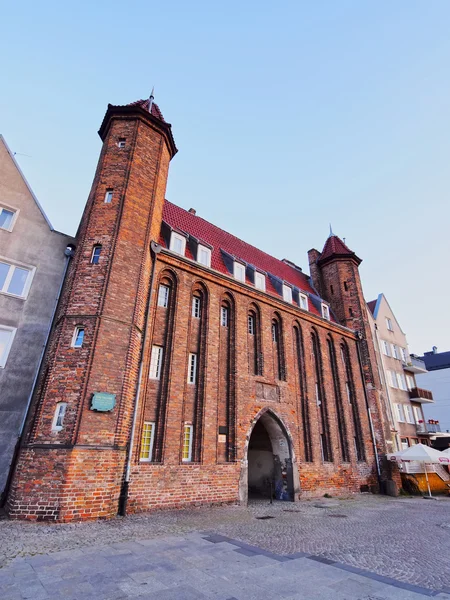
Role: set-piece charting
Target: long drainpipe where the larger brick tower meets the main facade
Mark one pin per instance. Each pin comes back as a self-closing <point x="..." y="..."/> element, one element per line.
<point x="155" y="249"/>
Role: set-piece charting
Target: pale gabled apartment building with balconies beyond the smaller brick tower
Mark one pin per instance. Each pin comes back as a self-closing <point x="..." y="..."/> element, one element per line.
<point x="398" y="369"/>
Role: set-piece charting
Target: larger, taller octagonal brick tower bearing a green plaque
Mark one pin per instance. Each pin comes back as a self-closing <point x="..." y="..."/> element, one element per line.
<point x="71" y="463"/>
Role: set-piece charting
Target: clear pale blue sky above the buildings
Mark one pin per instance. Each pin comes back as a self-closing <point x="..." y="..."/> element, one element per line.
<point x="287" y="116"/>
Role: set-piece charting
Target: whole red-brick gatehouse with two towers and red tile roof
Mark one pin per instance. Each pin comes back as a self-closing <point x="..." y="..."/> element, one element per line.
<point x="186" y="366"/>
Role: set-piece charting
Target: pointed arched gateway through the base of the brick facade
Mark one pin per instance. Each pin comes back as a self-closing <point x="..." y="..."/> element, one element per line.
<point x="269" y="467"/>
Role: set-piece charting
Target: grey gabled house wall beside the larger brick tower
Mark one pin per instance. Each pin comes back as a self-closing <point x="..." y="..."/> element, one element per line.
<point x="33" y="243"/>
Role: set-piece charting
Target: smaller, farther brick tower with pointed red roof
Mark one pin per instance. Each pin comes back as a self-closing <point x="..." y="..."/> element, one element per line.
<point x="335" y="275"/>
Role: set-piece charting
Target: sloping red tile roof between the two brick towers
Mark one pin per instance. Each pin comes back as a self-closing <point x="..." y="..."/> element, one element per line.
<point x="181" y="219"/>
